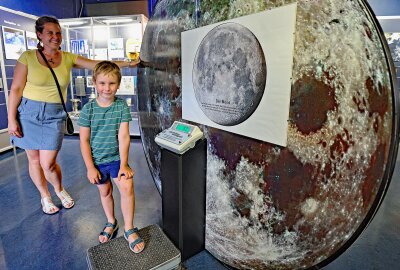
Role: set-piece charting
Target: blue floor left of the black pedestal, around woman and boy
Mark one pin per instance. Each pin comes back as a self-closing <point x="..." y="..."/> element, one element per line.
<point x="32" y="240"/>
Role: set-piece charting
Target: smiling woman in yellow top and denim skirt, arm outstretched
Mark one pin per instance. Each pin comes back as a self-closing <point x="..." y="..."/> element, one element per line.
<point x="35" y="114"/>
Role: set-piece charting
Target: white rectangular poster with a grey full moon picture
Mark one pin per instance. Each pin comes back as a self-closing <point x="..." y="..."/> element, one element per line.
<point x="236" y="74"/>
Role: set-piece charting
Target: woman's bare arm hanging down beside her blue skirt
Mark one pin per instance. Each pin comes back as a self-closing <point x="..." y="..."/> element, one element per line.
<point x="17" y="87"/>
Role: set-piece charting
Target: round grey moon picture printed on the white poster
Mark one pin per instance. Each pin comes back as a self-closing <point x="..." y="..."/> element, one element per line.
<point x="229" y="74"/>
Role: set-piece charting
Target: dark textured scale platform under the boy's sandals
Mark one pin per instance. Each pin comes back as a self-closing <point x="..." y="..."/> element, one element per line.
<point x="159" y="253"/>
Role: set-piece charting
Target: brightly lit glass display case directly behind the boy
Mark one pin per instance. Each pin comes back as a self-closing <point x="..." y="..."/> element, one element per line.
<point x="114" y="38"/>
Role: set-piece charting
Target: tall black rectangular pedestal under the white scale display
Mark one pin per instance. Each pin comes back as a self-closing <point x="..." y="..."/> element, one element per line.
<point x="184" y="198"/>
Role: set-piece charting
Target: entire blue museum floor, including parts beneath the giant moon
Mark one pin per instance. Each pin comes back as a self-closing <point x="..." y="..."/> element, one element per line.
<point x="31" y="240"/>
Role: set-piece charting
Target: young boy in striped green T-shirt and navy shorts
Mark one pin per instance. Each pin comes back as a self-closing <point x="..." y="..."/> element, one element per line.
<point x="105" y="140"/>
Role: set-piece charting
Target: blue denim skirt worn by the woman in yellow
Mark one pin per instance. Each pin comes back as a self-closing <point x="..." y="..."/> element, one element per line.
<point x="42" y="125"/>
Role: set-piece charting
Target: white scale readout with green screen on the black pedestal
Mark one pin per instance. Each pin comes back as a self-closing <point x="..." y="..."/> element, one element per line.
<point x="179" y="138"/>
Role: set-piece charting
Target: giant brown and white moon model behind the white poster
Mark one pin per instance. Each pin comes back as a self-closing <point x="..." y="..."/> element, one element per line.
<point x="299" y="206"/>
